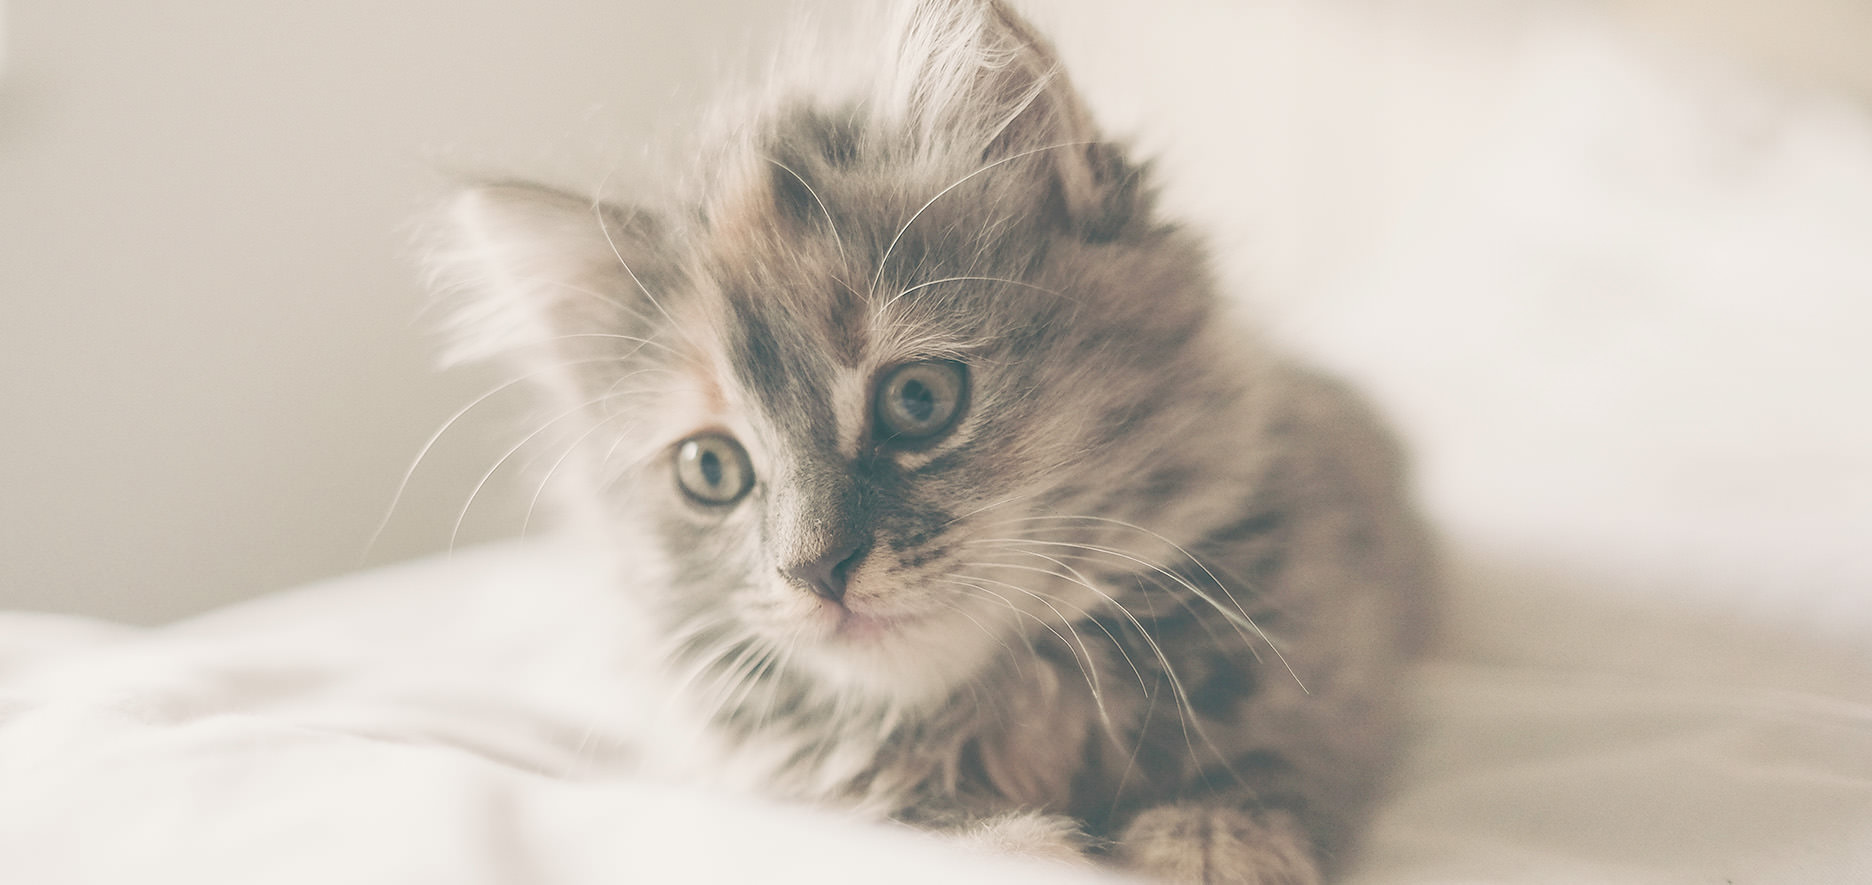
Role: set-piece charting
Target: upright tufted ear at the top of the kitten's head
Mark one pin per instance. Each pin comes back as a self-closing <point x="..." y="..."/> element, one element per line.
<point x="980" y="76"/>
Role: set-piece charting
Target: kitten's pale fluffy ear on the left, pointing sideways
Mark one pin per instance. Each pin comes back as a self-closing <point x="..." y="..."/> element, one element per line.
<point x="542" y="276"/>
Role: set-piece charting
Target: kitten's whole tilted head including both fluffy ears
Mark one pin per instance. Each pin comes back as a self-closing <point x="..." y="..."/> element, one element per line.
<point x="920" y="379"/>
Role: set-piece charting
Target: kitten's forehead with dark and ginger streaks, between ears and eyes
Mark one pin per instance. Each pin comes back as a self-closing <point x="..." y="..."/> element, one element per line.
<point x="832" y="254"/>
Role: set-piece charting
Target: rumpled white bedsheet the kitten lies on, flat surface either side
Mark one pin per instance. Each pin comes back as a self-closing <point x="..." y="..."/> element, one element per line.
<point x="460" y="721"/>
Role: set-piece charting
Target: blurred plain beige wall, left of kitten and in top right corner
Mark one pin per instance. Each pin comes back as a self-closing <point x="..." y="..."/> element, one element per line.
<point x="212" y="362"/>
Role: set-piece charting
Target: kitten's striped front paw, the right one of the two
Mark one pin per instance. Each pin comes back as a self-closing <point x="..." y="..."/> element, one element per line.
<point x="1216" y="847"/>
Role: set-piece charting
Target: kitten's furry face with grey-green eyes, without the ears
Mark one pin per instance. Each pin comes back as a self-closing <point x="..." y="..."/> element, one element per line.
<point x="866" y="467"/>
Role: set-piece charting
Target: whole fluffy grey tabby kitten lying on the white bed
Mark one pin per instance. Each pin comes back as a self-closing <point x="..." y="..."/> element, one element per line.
<point x="958" y="501"/>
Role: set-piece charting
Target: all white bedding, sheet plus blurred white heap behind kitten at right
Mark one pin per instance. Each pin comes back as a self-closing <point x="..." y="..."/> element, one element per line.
<point x="1631" y="347"/>
